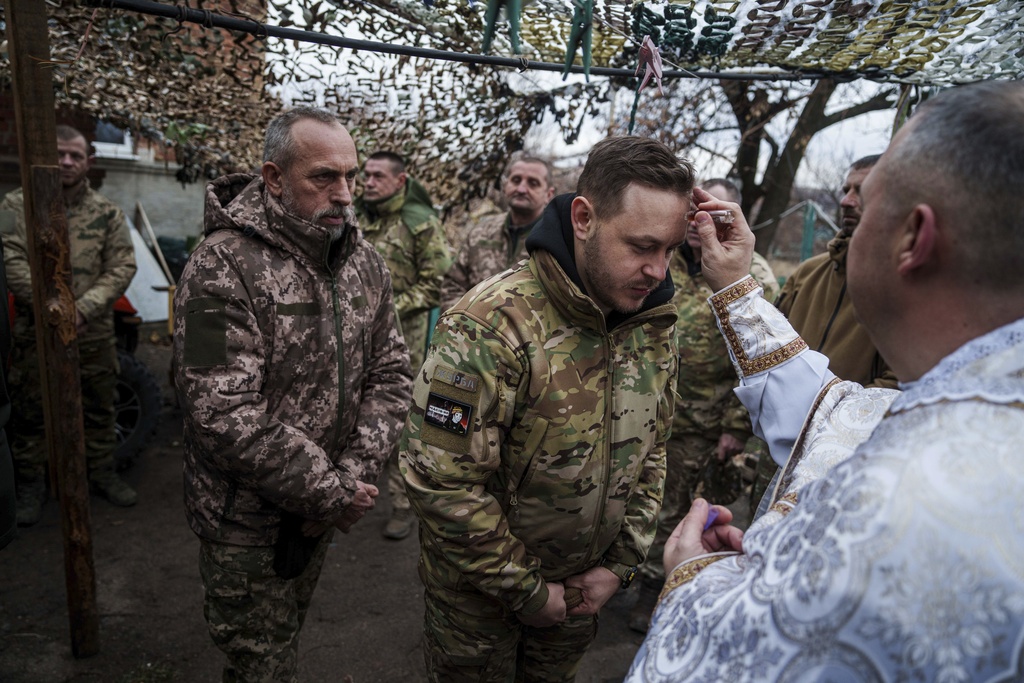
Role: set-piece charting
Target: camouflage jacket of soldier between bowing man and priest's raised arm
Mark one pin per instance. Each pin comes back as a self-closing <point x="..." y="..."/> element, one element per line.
<point x="706" y="405"/>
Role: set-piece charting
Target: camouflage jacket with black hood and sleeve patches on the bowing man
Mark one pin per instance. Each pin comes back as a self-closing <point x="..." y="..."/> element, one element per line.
<point x="535" y="448"/>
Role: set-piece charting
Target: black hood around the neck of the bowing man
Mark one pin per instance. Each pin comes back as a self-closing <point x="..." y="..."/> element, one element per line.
<point x="553" y="234"/>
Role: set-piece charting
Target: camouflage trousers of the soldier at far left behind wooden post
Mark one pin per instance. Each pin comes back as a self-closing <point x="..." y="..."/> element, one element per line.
<point x="99" y="372"/>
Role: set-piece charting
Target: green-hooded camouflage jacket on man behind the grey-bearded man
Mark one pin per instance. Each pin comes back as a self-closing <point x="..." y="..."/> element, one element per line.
<point x="410" y="237"/>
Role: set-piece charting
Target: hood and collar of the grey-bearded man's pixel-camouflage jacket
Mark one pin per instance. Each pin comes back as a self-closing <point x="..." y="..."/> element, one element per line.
<point x="240" y="202"/>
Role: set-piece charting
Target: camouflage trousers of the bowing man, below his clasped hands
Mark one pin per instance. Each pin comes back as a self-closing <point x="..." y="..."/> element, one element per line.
<point x="471" y="638"/>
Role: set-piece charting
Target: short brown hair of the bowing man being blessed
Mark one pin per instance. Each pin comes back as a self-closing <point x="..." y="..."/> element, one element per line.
<point x="616" y="163"/>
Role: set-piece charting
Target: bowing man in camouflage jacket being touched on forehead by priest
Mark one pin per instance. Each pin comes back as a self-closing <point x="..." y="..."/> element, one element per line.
<point x="535" y="450"/>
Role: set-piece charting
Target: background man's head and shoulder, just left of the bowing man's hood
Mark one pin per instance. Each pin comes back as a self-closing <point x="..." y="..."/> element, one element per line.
<point x="498" y="242"/>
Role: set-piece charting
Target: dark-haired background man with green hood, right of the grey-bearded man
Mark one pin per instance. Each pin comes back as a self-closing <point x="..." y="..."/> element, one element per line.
<point x="398" y="219"/>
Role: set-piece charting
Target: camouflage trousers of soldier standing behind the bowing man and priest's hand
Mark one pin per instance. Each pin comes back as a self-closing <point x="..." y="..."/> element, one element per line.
<point x="688" y="458"/>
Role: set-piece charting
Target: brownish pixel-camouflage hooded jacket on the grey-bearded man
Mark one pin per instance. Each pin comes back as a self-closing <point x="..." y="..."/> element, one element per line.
<point x="293" y="377"/>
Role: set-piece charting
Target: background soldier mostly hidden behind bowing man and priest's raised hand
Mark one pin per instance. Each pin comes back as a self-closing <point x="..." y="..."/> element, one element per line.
<point x="711" y="425"/>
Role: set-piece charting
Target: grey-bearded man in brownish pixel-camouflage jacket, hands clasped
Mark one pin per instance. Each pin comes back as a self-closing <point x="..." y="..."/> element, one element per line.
<point x="294" y="382"/>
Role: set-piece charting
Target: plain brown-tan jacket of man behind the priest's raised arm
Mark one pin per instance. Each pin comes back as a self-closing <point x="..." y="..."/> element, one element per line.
<point x="816" y="301"/>
